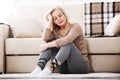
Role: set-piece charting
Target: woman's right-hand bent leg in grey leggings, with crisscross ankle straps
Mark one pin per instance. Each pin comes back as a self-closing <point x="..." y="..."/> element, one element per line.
<point x="75" y="62"/>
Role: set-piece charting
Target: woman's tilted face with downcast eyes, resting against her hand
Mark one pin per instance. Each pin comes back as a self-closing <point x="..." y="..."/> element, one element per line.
<point x="59" y="18"/>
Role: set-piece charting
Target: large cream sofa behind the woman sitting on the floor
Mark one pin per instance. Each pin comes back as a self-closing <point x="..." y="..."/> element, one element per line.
<point x="20" y="42"/>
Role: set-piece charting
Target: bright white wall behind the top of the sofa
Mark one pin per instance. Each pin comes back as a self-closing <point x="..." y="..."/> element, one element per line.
<point x="7" y="7"/>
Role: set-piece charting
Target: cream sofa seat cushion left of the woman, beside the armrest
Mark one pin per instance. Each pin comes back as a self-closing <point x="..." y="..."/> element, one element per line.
<point x="23" y="45"/>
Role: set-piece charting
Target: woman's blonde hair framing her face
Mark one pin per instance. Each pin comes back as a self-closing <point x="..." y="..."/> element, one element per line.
<point x="51" y="11"/>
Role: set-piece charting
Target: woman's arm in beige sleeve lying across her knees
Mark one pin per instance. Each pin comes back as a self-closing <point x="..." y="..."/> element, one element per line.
<point x="72" y="35"/>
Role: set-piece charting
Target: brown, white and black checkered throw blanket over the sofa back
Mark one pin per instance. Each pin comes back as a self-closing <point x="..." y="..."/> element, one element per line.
<point x="98" y="15"/>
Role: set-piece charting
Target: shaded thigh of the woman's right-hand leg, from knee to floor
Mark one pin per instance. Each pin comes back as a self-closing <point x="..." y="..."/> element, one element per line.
<point x="76" y="63"/>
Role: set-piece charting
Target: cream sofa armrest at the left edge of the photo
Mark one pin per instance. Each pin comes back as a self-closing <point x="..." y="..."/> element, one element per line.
<point x="4" y="33"/>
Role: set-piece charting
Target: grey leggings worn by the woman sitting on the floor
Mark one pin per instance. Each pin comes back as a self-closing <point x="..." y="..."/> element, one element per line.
<point x="70" y="57"/>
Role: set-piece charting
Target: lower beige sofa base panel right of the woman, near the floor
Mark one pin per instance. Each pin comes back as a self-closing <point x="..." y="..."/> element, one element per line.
<point x="105" y="63"/>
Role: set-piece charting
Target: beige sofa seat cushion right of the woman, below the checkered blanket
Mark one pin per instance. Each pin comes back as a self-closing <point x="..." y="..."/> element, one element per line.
<point x="103" y="45"/>
